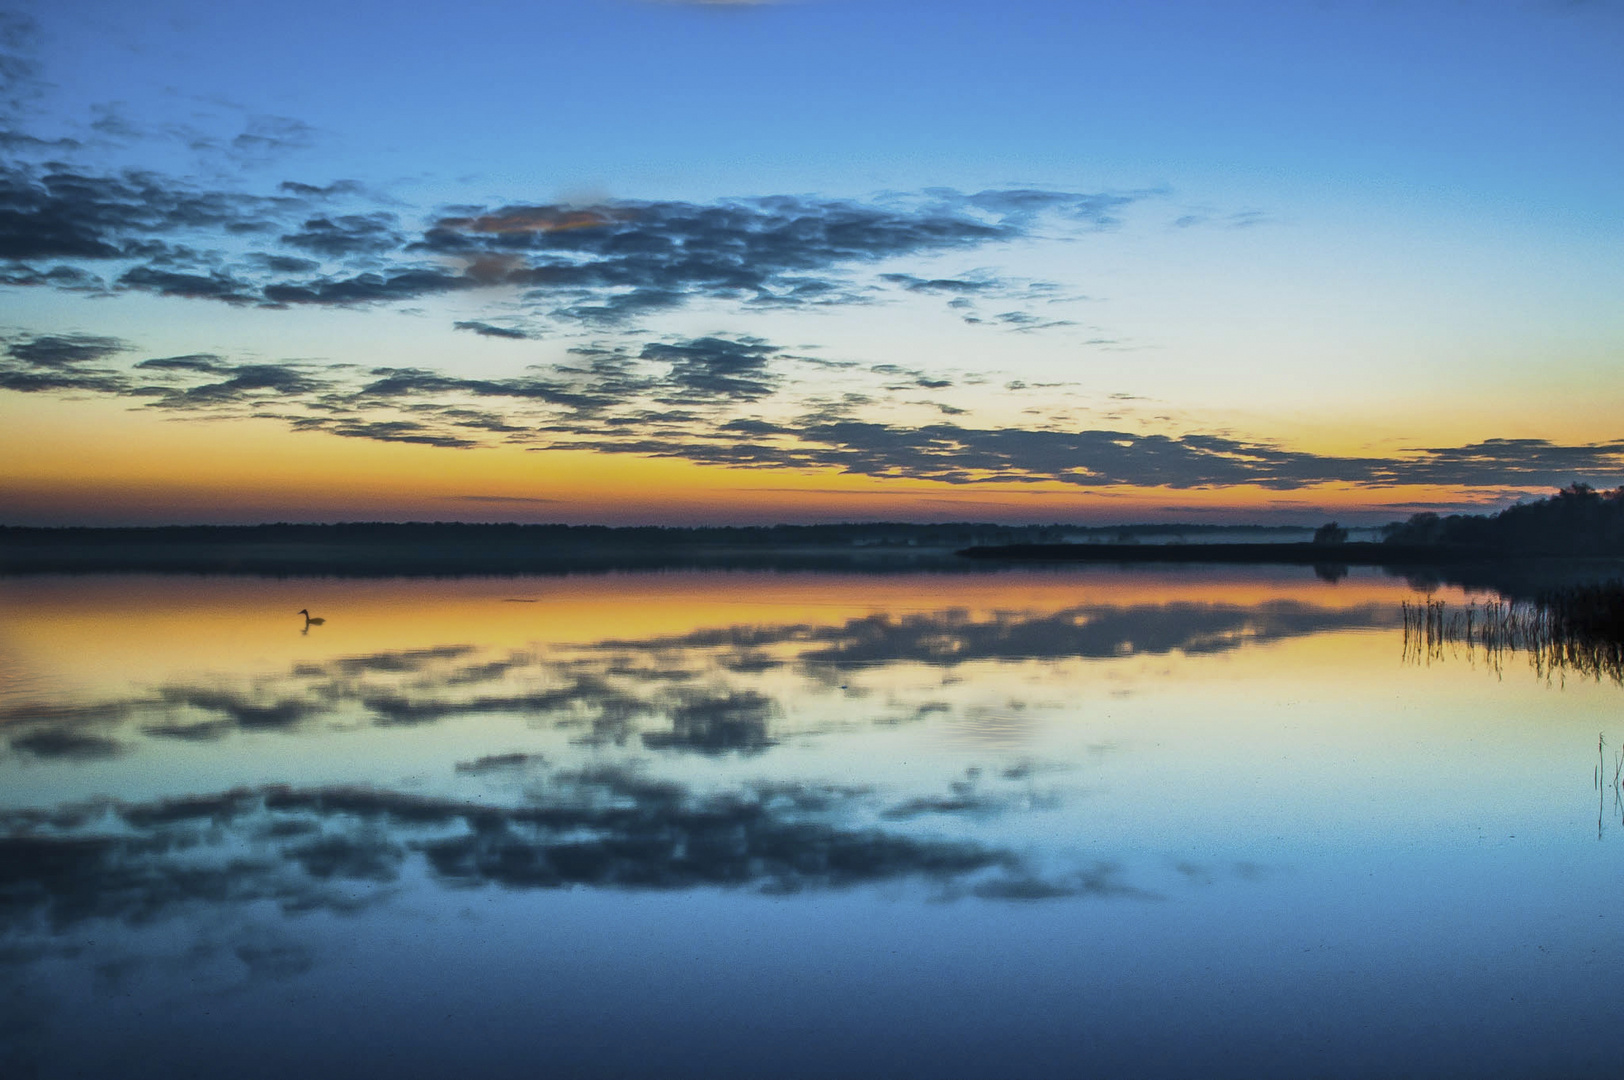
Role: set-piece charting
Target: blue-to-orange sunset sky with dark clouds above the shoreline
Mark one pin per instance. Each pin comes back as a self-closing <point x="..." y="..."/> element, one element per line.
<point x="654" y="262"/>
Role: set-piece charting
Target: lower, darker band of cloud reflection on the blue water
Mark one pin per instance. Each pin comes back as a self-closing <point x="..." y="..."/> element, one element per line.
<point x="343" y="849"/>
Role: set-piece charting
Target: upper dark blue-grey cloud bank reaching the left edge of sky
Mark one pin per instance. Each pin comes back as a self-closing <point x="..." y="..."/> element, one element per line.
<point x="602" y="266"/>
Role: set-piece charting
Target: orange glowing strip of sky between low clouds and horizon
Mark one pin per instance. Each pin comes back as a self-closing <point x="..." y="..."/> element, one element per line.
<point x="97" y="462"/>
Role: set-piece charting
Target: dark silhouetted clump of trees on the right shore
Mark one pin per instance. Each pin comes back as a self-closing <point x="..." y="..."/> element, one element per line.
<point x="1578" y="521"/>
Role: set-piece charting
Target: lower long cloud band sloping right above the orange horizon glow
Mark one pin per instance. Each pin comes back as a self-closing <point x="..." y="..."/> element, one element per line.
<point x="683" y="399"/>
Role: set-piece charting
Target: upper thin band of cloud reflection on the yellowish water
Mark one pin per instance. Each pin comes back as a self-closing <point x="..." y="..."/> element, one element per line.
<point x="715" y="691"/>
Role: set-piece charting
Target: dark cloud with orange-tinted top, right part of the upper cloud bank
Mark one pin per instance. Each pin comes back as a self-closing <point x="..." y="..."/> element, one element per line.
<point x="634" y="257"/>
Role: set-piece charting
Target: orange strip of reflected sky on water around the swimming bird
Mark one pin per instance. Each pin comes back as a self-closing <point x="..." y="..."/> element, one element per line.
<point x="144" y="629"/>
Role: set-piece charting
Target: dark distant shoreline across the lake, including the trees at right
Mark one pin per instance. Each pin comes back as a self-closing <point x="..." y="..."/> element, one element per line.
<point x="1576" y="535"/>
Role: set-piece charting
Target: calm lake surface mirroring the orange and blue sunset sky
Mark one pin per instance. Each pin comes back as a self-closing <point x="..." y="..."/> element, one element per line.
<point x="743" y="824"/>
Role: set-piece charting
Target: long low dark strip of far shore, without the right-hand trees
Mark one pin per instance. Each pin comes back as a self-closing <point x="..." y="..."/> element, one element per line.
<point x="447" y="550"/>
